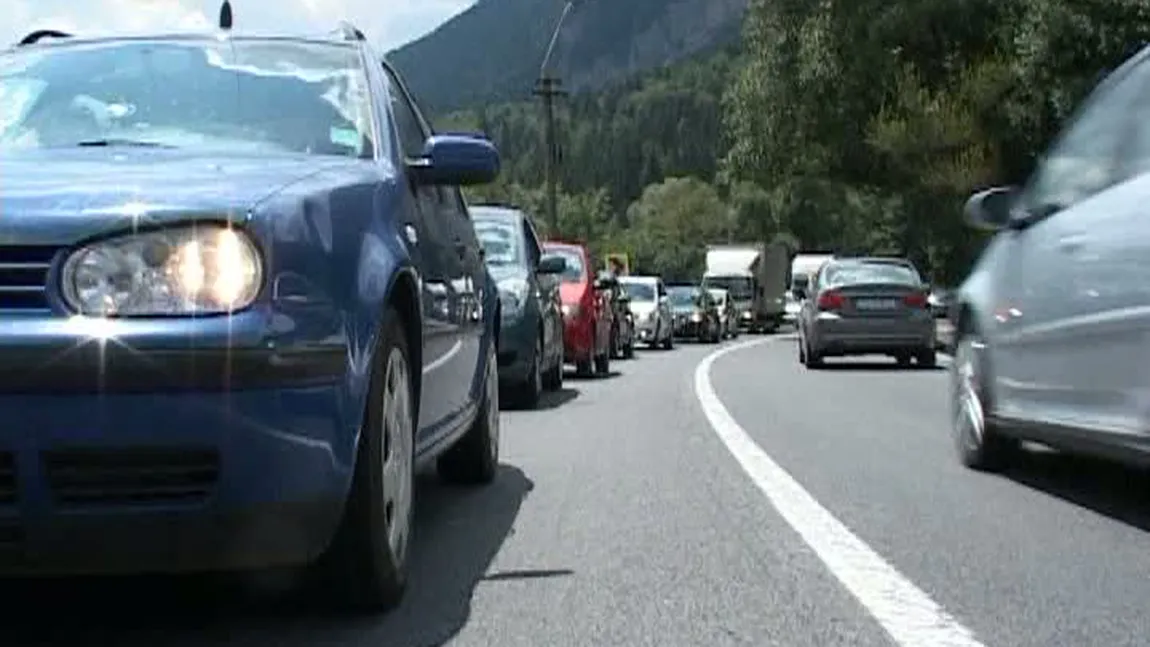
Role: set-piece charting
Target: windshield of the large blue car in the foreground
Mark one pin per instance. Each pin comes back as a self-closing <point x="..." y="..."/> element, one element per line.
<point x="231" y="96"/>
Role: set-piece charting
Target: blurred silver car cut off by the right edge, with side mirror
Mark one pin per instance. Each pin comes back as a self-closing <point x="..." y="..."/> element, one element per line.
<point x="1053" y="322"/>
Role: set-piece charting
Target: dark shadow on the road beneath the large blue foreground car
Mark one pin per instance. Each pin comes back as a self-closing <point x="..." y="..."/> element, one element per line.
<point x="458" y="535"/>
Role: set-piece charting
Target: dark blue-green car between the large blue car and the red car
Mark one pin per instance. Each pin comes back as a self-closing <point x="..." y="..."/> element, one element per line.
<point x="532" y="330"/>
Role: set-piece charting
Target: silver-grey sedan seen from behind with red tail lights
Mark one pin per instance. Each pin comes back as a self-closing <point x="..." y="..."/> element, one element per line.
<point x="867" y="307"/>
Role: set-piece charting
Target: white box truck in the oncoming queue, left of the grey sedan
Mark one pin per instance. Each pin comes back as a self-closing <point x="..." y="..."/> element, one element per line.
<point x="755" y="275"/>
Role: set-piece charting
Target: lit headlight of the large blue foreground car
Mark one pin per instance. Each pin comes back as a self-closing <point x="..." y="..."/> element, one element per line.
<point x="193" y="271"/>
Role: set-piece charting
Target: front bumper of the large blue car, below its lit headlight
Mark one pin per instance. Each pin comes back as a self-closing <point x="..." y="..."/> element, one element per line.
<point x="127" y="448"/>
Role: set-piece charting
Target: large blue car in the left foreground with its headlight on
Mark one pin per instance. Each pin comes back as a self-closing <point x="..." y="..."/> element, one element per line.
<point x="241" y="304"/>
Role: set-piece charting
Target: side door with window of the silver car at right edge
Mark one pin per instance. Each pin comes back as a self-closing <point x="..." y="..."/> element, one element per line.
<point x="1067" y="343"/>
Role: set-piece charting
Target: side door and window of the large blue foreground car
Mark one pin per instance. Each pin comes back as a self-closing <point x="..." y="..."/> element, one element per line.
<point x="431" y="238"/>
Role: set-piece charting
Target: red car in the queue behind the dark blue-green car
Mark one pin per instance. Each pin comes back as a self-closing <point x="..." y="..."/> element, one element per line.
<point x="587" y="311"/>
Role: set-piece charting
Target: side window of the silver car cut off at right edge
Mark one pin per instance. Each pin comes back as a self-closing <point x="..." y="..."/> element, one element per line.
<point x="1084" y="161"/>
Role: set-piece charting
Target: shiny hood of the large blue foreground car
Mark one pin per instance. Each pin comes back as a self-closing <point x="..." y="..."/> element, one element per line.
<point x="60" y="197"/>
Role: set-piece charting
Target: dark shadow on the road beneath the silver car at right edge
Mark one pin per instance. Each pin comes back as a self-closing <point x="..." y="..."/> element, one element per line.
<point x="1120" y="492"/>
